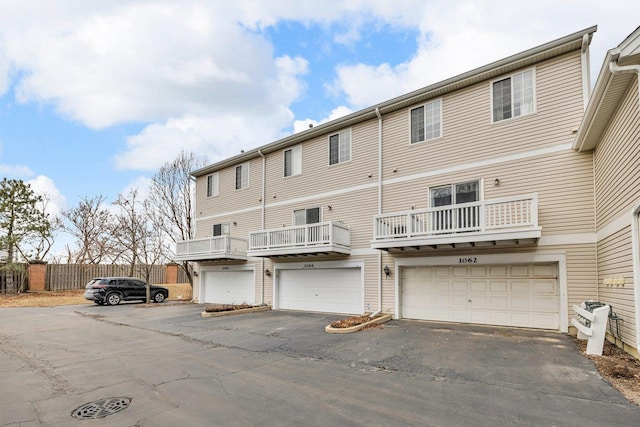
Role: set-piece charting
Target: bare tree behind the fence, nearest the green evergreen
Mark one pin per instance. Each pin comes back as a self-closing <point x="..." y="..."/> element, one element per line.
<point x="90" y="224"/>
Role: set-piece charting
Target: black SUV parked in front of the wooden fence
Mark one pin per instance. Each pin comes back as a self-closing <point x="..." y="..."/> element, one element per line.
<point x="112" y="290"/>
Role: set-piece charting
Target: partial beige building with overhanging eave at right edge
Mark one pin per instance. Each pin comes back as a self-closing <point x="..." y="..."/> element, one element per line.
<point x="610" y="131"/>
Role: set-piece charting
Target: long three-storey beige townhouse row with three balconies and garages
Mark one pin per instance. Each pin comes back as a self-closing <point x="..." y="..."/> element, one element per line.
<point x="465" y="201"/>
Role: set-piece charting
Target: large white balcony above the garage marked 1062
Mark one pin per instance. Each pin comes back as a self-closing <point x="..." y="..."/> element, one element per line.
<point x="495" y="222"/>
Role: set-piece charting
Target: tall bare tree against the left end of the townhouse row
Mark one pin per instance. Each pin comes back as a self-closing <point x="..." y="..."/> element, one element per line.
<point x="172" y="195"/>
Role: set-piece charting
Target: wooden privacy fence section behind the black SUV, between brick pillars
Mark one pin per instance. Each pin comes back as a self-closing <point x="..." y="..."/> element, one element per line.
<point x="75" y="276"/>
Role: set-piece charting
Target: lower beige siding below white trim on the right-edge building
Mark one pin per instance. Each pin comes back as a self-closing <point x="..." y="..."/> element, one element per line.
<point x="614" y="261"/>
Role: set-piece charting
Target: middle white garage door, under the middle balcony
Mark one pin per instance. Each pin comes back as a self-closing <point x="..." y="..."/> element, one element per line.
<point x="328" y="290"/>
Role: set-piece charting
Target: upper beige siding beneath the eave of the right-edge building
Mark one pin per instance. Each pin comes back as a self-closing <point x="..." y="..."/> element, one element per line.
<point x="617" y="161"/>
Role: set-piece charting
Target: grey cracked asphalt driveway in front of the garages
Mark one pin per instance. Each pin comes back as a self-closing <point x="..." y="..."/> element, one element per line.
<point x="281" y="368"/>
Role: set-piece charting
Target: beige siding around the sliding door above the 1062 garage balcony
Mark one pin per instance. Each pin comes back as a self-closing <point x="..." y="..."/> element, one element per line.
<point x="562" y="180"/>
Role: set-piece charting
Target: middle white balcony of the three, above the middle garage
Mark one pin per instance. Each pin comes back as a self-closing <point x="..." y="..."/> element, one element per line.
<point x="322" y="238"/>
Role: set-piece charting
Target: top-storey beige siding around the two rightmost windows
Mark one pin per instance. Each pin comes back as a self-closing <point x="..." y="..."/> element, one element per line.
<point x="468" y="133"/>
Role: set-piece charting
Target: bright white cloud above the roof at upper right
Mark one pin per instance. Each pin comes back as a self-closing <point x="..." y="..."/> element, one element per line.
<point x="457" y="37"/>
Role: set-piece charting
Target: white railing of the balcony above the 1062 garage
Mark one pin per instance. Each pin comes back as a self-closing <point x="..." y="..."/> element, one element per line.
<point x="486" y="216"/>
